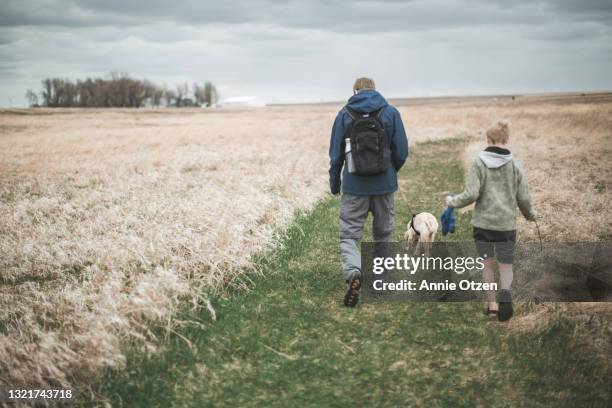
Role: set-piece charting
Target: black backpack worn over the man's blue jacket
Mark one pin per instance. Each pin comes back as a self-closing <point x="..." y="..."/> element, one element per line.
<point x="369" y="143"/>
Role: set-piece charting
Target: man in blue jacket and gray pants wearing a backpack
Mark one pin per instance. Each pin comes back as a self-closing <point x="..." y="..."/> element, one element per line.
<point x="368" y="147"/>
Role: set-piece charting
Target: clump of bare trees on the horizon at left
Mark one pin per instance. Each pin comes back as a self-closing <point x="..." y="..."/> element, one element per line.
<point x="119" y="91"/>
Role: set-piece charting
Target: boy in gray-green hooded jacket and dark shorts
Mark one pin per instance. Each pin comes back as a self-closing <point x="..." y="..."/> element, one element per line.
<point x="497" y="183"/>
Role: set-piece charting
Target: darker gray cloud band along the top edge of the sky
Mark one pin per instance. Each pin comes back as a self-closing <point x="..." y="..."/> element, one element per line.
<point x="334" y="15"/>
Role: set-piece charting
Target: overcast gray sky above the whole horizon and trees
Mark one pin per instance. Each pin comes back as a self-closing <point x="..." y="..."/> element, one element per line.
<point x="311" y="50"/>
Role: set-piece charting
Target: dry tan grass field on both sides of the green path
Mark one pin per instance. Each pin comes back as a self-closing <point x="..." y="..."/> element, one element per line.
<point x="111" y="219"/>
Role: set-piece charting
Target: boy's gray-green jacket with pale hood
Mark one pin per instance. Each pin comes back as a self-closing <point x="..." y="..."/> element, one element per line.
<point x="496" y="182"/>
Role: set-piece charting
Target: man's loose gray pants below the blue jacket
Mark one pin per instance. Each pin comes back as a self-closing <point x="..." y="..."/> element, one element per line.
<point x="354" y="211"/>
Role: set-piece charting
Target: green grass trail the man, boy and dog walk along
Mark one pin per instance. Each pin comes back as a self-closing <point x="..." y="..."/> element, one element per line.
<point x="290" y="342"/>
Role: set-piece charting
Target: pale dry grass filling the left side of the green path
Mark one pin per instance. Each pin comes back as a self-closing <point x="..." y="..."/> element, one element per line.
<point x="110" y="219"/>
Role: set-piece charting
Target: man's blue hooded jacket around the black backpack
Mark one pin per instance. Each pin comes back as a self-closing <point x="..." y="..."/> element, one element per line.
<point x="367" y="100"/>
